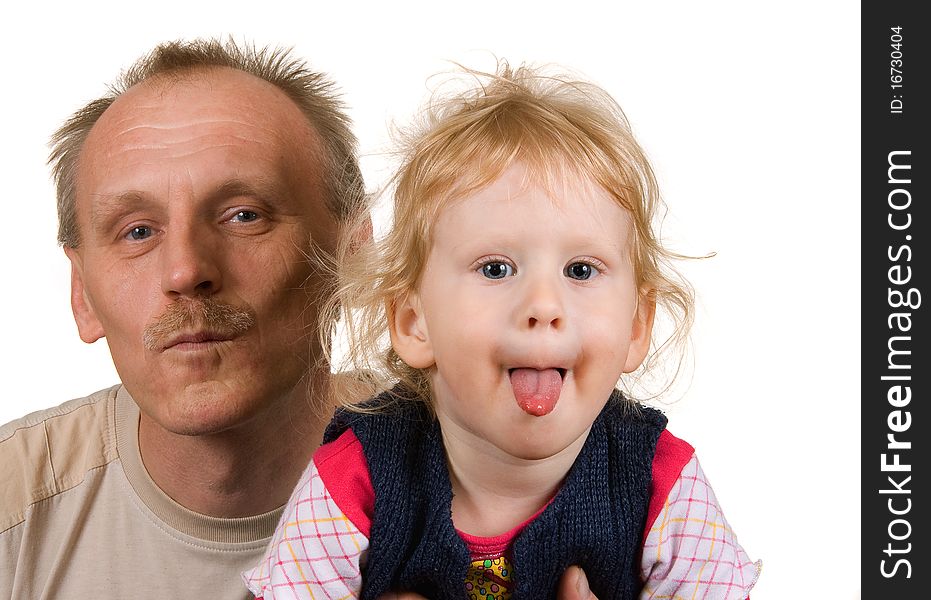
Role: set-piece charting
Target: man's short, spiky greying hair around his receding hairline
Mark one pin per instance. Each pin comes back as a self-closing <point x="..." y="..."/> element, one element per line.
<point x="312" y="92"/>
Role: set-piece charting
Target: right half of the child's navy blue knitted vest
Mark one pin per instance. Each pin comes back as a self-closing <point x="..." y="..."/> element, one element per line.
<point x="597" y="519"/>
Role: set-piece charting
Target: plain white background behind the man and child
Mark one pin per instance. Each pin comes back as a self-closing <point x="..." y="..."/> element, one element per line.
<point x="750" y="113"/>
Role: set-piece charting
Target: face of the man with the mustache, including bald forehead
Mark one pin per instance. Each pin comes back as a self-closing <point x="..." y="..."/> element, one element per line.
<point x="200" y="197"/>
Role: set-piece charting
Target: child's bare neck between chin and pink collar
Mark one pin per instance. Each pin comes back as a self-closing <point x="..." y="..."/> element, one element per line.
<point x="494" y="492"/>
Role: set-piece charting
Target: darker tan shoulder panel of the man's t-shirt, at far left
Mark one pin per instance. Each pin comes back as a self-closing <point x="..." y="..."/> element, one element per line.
<point x="50" y="451"/>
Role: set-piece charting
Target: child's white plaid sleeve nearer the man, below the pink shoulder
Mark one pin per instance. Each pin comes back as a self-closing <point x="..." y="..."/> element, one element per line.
<point x="315" y="551"/>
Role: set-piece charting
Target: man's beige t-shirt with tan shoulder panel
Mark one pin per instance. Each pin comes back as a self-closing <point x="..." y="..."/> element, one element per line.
<point x="80" y="517"/>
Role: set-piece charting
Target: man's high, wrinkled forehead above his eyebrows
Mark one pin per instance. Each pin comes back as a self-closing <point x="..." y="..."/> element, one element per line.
<point x="187" y="118"/>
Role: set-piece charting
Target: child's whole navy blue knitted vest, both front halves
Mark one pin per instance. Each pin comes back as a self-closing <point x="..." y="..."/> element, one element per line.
<point x="595" y="521"/>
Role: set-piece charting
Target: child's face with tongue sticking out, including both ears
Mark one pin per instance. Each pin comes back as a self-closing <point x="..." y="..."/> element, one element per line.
<point x="526" y="315"/>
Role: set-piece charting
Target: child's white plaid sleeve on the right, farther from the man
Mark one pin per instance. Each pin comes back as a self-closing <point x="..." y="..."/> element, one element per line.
<point x="690" y="550"/>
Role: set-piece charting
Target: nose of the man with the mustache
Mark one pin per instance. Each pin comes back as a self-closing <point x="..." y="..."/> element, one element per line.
<point x="189" y="263"/>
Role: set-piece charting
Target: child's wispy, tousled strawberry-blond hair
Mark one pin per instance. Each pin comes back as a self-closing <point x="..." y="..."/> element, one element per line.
<point x="555" y="125"/>
